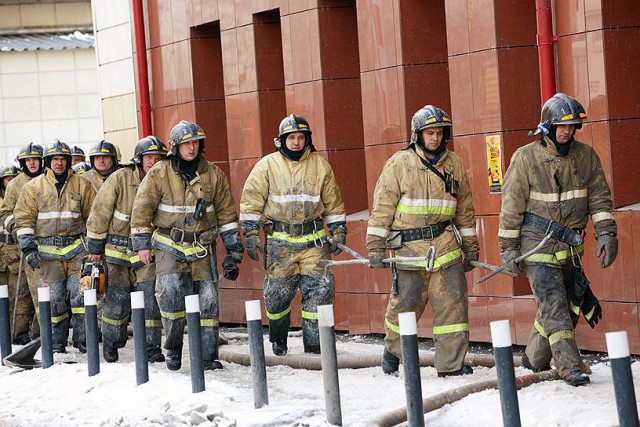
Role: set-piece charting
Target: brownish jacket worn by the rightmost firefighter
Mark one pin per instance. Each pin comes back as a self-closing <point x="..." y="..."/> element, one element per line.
<point x="564" y="189"/>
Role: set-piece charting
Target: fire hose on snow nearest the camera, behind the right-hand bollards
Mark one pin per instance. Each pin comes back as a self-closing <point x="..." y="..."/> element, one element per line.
<point x="437" y="401"/>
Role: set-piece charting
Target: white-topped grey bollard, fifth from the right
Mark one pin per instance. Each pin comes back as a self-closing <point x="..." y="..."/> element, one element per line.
<point x="256" y="353"/>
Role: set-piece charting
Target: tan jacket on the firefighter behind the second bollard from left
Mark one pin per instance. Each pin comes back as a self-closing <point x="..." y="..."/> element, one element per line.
<point x="53" y="223"/>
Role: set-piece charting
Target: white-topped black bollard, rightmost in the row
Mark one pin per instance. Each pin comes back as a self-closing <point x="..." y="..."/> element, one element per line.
<point x="618" y="348"/>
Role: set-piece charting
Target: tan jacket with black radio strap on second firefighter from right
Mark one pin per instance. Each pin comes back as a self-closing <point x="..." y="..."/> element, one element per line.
<point x="409" y="196"/>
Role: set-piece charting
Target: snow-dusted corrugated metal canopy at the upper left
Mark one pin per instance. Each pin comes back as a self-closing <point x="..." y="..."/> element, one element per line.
<point x="46" y="41"/>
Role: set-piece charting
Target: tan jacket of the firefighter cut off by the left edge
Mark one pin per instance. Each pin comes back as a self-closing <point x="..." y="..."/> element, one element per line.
<point x="10" y="252"/>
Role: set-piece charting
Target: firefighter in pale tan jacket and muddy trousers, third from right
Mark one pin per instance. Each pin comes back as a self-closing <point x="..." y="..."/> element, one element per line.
<point x="293" y="192"/>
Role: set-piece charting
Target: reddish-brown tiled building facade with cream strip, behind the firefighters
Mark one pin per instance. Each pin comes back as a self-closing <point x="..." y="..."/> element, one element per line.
<point x="358" y="70"/>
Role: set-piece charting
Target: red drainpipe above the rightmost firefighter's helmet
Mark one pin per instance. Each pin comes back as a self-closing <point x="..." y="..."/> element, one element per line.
<point x="546" y="58"/>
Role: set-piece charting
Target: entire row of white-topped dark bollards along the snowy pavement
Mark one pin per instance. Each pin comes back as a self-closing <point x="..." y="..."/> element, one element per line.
<point x="617" y="346"/>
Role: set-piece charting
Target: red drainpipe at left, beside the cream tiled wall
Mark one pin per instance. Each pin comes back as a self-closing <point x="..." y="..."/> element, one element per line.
<point x="143" y="76"/>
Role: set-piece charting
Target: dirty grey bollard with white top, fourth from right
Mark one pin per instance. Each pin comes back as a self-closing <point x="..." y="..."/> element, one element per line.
<point x="329" y="364"/>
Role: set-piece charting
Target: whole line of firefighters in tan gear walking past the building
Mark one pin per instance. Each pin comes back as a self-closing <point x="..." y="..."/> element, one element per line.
<point x="154" y="223"/>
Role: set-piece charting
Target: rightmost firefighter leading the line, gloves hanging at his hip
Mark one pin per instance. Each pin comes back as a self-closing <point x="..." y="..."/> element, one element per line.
<point x="552" y="186"/>
